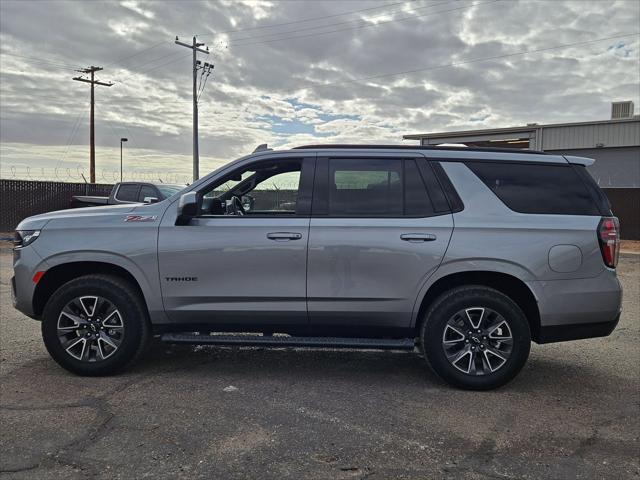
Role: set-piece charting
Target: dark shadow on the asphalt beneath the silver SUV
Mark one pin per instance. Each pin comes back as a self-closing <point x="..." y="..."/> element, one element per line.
<point x="540" y="375"/>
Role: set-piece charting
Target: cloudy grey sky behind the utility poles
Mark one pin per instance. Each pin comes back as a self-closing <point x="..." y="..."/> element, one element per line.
<point x="294" y="72"/>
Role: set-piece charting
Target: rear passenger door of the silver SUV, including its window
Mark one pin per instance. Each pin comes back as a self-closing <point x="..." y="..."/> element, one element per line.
<point x="380" y="227"/>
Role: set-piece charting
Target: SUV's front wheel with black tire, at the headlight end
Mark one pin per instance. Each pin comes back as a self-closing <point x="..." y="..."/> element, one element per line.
<point x="82" y="342"/>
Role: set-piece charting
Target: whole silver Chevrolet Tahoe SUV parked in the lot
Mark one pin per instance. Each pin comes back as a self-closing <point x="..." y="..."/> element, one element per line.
<point x="466" y="253"/>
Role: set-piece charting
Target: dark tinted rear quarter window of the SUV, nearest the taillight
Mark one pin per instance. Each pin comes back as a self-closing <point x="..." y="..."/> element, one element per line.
<point x="534" y="188"/>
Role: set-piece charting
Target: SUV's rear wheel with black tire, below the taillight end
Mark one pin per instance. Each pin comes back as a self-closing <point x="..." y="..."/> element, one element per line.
<point x="470" y="359"/>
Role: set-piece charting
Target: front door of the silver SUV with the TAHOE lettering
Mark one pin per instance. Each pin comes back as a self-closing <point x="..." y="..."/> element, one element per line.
<point x="242" y="261"/>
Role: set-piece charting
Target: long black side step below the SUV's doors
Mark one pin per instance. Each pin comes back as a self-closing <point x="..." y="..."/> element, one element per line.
<point x="284" y="341"/>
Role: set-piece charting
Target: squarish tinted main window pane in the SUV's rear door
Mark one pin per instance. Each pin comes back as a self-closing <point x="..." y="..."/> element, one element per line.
<point x="359" y="187"/>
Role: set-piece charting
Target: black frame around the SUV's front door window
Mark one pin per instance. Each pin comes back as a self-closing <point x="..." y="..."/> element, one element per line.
<point x="305" y="193"/>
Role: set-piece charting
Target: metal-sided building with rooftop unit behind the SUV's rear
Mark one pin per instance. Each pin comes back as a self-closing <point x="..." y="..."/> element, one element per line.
<point x="614" y="144"/>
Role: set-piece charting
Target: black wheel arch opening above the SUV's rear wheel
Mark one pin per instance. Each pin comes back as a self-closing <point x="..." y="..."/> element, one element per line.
<point x="505" y="283"/>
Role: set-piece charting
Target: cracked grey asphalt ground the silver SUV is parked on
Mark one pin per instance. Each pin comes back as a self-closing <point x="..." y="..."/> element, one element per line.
<point x="186" y="412"/>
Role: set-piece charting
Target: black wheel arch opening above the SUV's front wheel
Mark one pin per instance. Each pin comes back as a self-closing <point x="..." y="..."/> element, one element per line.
<point x="62" y="273"/>
